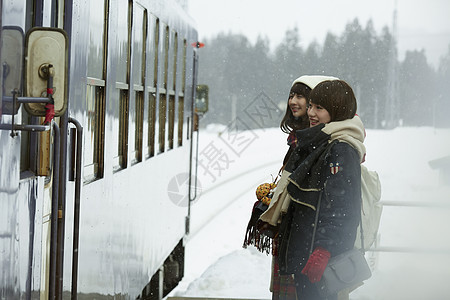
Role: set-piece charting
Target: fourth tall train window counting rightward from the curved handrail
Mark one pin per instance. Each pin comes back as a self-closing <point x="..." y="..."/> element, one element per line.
<point x="152" y="72"/>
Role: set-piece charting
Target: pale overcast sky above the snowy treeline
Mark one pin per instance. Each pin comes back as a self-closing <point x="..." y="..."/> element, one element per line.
<point x="421" y="24"/>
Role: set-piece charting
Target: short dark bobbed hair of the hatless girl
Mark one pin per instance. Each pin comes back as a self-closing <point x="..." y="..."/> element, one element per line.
<point x="337" y="97"/>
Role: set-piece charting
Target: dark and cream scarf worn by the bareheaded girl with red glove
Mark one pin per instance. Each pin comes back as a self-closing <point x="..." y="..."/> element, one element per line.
<point x="302" y="171"/>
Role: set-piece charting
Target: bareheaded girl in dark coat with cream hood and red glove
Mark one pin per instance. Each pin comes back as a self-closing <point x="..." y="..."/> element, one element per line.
<point x="325" y="164"/>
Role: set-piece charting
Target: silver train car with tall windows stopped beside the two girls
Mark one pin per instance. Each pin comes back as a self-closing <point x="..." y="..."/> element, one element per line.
<point x="96" y="147"/>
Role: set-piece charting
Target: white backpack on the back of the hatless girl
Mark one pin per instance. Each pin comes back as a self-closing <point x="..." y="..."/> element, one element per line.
<point x="371" y="208"/>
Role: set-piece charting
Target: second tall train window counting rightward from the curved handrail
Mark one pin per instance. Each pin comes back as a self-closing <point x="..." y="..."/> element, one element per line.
<point x="119" y="99"/>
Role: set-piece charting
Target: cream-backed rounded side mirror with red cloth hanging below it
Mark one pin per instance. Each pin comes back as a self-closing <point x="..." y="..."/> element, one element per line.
<point x="46" y="64"/>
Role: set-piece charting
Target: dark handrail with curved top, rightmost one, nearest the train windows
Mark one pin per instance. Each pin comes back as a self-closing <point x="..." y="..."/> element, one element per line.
<point x="76" y="212"/>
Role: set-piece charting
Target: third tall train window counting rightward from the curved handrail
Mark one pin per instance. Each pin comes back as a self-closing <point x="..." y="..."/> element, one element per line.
<point x="138" y="69"/>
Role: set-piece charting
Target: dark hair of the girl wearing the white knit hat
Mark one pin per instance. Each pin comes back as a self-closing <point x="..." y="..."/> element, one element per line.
<point x="290" y="123"/>
